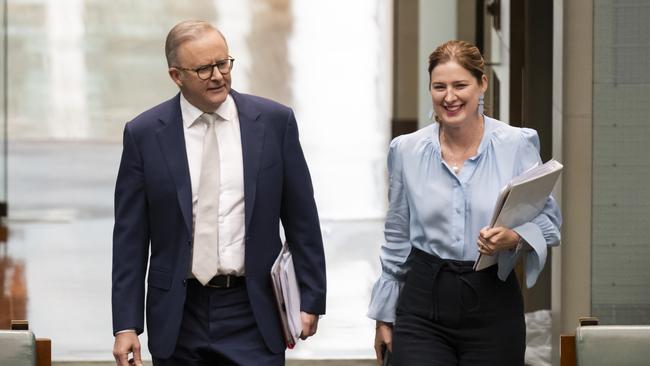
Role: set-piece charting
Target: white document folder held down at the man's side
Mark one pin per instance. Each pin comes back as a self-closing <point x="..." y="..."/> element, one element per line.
<point x="287" y="295"/>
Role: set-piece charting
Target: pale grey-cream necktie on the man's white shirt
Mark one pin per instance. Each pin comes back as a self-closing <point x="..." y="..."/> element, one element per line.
<point x="205" y="258"/>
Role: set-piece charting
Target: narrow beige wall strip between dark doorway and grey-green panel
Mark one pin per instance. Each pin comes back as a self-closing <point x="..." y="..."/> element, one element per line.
<point x="572" y="285"/>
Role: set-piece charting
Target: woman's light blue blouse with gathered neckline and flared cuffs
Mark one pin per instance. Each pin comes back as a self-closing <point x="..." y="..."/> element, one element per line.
<point x="434" y="210"/>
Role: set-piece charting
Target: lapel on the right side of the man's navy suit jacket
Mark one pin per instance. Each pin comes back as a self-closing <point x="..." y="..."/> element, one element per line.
<point x="252" y="140"/>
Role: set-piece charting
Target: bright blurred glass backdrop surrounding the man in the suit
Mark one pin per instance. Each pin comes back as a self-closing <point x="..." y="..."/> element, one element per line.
<point x="79" y="69"/>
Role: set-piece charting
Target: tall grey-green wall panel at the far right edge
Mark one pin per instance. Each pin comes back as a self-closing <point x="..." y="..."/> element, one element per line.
<point x="621" y="195"/>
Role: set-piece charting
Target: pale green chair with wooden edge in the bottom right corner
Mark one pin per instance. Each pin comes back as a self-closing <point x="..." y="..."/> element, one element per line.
<point x="600" y="345"/>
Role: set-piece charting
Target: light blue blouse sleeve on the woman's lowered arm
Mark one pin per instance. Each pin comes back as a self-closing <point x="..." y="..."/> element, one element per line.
<point x="397" y="246"/>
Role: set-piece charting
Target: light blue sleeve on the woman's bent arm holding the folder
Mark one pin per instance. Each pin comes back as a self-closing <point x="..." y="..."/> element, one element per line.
<point x="541" y="232"/>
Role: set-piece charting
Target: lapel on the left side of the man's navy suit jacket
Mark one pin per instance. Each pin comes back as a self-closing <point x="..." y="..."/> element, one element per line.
<point x="172" y="144"/>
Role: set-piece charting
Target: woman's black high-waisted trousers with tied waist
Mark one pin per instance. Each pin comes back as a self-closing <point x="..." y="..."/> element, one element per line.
<point x="448" y="314"/>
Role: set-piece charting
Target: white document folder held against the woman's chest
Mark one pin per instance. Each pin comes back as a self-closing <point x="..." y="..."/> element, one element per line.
<point x="521" y="200"/>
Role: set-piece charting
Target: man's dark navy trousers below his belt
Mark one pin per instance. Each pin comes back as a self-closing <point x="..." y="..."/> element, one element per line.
<point x="218" y="329"/>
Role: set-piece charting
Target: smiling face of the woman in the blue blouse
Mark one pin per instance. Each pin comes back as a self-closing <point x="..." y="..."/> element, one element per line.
<point x="455" y="94"/>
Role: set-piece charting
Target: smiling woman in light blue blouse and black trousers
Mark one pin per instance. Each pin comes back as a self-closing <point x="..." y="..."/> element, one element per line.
<point x="431" y="307"/>
